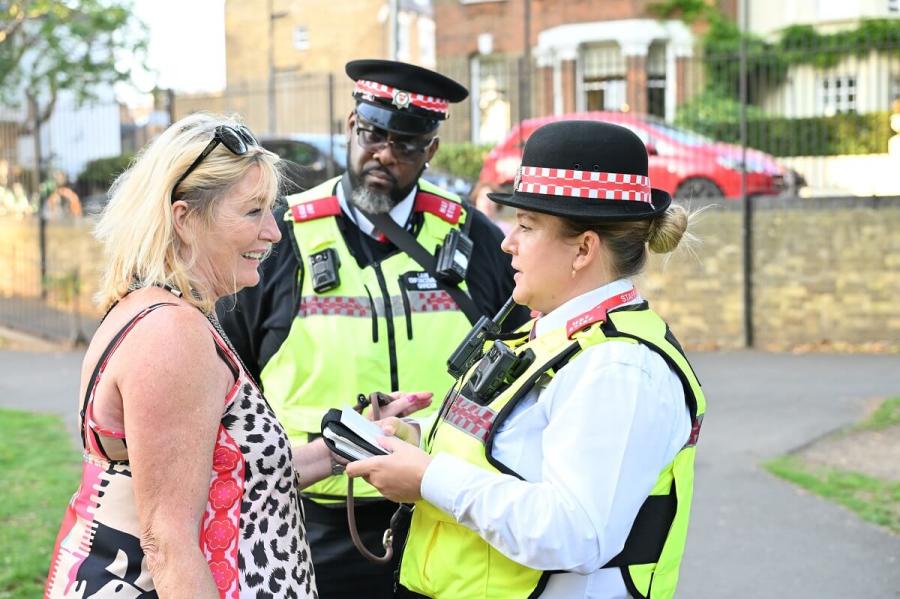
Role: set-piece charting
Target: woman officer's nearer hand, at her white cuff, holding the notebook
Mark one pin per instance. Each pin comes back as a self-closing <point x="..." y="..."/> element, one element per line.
<point x="397" y="476"/>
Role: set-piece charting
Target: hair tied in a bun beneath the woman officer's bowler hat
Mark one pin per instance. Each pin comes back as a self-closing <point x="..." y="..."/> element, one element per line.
<point x="628" y="241"/>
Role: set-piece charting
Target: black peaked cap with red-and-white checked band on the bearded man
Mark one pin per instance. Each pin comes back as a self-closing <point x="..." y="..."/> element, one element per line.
<point x="401" y="97"/>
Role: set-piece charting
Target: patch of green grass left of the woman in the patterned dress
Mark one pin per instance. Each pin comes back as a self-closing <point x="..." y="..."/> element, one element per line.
<point x="39" y="472"/>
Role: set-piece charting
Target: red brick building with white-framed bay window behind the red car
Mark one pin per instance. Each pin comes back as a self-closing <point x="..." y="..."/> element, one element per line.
<point x="586" y="55"/>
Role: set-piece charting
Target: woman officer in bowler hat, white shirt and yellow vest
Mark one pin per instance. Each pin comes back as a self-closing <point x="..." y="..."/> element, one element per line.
<point x="562" y="463"/>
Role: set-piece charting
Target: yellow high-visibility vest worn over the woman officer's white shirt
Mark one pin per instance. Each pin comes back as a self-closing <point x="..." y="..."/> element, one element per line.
<point x="445" y="559"/>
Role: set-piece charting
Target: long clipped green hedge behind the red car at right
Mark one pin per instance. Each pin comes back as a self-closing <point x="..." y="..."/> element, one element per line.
<point x="814" y="136"/>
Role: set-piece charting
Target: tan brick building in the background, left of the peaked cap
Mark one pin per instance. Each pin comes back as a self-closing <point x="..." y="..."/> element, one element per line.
<point x="284" y="59"/>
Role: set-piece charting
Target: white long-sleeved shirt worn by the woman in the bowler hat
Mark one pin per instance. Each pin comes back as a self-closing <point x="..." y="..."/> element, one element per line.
<point x="590" y="446"/>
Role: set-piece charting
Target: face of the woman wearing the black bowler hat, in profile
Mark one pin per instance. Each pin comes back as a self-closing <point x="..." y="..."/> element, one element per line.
<point x="543" y="259"/>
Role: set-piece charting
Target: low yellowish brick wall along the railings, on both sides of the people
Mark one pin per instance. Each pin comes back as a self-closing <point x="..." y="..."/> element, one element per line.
<point x="827" y="273"/>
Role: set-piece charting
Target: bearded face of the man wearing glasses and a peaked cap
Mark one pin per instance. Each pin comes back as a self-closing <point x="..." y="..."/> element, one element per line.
<point x="380" y="171"/>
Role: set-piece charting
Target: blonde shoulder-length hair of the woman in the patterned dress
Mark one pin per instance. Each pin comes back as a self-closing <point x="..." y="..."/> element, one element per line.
<point x="137" y="227"/>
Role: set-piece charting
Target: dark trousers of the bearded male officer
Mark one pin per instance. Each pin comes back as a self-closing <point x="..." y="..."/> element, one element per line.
<point x="341" y="571"/>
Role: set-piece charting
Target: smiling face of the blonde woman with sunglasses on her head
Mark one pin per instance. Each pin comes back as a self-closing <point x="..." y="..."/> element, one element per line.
<point x="228" y="252"/>
